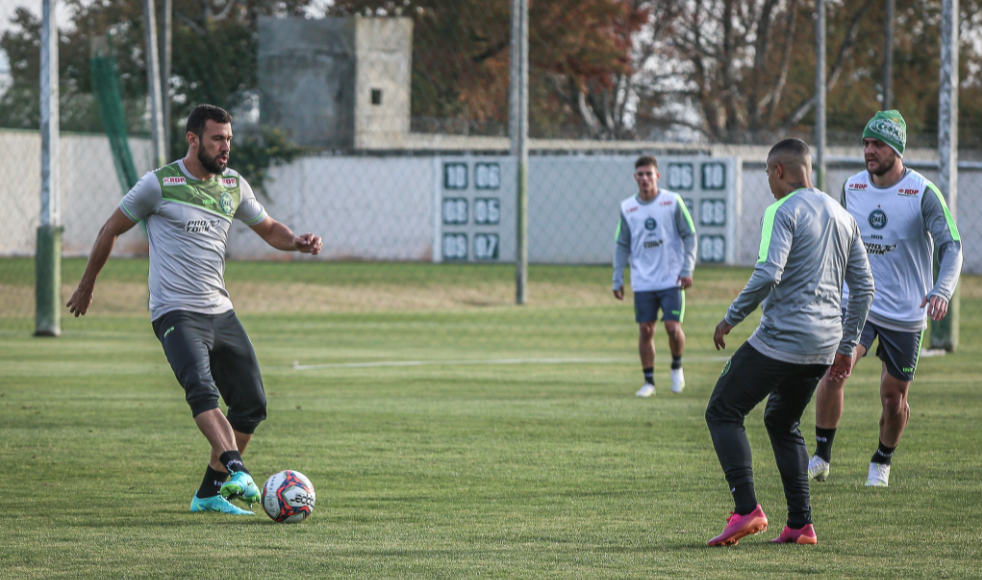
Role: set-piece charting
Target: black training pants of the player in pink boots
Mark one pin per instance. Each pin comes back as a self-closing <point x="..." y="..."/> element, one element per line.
<point x="747" y="379"/>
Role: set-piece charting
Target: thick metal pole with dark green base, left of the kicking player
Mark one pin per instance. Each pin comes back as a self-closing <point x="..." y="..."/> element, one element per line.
<point x="47" y="254"/>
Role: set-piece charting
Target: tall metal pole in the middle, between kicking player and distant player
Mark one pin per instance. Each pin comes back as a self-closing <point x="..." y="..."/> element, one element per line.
<point x="519" y="140"/>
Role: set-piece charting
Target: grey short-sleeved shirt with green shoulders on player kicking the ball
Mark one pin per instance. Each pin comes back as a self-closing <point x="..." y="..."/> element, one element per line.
<point x="187" y="224"/>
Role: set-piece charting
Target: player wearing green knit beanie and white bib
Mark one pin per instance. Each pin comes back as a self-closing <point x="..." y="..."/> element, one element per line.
<point x="902" y="217"/>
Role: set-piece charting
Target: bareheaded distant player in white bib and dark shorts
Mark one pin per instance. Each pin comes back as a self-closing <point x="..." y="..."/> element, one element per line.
<point x="656" y="235"/>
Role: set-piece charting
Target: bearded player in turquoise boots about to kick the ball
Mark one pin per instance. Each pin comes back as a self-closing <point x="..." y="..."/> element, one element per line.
<point x="188" y="207"/>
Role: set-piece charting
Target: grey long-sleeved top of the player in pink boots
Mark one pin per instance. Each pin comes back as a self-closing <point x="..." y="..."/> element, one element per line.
<point x="809" y="245"/>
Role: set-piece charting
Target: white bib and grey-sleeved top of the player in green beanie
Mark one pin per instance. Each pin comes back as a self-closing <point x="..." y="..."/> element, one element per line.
<point x="900" y="226"/>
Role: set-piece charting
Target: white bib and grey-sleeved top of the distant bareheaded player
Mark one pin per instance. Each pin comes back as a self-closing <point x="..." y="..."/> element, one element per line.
<point x="660" y="240"/>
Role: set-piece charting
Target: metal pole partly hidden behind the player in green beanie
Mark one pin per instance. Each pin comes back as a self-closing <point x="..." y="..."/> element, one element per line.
<point x="944" y="334"/>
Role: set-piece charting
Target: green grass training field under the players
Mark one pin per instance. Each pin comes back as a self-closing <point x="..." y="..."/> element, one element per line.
<point x="463" y="467"/>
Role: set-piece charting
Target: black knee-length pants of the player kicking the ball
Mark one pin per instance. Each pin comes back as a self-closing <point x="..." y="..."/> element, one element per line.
<point x="212" y="356"/>
